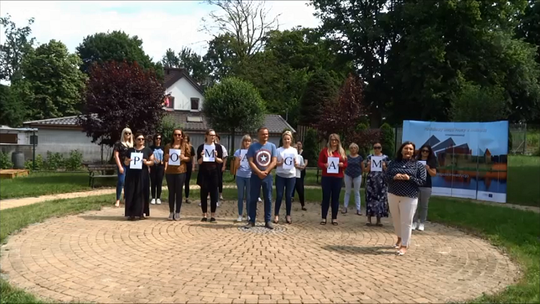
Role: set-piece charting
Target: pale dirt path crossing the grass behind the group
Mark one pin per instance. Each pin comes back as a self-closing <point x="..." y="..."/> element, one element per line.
<point x="18" y="202"/>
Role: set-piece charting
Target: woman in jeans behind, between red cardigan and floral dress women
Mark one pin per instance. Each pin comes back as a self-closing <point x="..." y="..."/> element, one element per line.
<point x="353" y="178"/>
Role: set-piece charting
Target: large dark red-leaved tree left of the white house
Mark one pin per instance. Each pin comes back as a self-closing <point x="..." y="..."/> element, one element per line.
<point x="120" y="95"/>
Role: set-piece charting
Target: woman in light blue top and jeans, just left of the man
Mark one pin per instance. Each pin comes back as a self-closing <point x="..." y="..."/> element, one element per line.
<point x="243" y="176"/>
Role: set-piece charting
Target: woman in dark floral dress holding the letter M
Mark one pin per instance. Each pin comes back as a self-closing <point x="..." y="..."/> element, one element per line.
<point x="376" y="188"/>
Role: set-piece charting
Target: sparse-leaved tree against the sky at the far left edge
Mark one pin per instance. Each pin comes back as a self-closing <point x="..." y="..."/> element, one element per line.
<point x="16" y="45"/>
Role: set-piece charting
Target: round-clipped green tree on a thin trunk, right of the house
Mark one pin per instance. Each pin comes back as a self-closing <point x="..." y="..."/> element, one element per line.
<point x="234" y="106"/>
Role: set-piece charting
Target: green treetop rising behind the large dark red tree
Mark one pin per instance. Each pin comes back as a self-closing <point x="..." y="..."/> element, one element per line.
<point x="115" y="46"/>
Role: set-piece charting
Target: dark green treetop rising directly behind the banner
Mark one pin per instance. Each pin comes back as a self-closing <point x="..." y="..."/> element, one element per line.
<point x="477" y="103"/>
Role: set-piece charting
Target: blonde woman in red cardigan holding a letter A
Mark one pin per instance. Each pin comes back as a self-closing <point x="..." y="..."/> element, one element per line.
<point x="332" y="158"/>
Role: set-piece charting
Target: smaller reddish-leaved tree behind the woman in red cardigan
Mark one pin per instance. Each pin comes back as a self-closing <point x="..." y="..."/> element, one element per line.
<point x="342" y="115"/>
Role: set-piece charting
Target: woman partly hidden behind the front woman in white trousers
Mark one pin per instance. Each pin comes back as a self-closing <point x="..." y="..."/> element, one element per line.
<point x="428" y="159"/>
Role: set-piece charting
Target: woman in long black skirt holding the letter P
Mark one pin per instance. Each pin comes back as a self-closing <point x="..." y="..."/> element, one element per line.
<point x="137" y="184"/>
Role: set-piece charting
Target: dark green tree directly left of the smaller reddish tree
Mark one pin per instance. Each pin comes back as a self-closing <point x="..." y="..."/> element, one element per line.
<point x="320" y="90"/>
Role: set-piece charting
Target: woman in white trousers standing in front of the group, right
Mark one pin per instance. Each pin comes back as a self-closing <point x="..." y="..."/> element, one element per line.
<point x="404" y="176"/>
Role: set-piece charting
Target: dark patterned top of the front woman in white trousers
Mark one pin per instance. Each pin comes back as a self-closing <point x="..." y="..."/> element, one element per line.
<point x="408" y="188"/>
